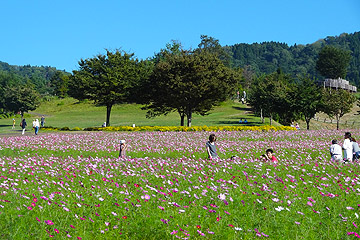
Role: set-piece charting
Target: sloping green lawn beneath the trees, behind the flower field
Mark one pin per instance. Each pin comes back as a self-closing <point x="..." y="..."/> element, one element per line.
<point x="71" y="113"/>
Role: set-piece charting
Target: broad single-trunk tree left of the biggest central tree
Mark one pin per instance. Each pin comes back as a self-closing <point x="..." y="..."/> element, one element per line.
<point x="106" y="79"/>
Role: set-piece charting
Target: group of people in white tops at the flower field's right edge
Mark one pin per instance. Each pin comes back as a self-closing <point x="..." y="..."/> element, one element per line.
<point x="350" y="148"/>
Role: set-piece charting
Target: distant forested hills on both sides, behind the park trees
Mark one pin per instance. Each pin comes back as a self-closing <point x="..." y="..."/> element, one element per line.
<point x="258" y="58"/>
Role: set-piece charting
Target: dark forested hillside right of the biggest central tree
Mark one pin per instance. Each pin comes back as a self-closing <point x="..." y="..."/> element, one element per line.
<point x="267" y="57"/>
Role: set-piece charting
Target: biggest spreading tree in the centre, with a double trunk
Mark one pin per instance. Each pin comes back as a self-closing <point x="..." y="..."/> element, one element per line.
<point x="188" y="83"/>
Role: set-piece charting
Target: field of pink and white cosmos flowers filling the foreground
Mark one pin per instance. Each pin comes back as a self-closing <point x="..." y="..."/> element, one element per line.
<point x="73" y="186"/>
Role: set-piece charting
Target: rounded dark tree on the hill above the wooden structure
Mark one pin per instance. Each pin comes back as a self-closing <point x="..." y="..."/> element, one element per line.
<point x="333" y="62"/>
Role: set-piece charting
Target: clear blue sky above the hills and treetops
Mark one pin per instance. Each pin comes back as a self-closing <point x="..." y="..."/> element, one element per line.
<point x="59" y="33"/>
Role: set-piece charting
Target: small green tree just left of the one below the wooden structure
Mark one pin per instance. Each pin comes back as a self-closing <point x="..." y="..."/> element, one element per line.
<point x="308" y="98"/>
